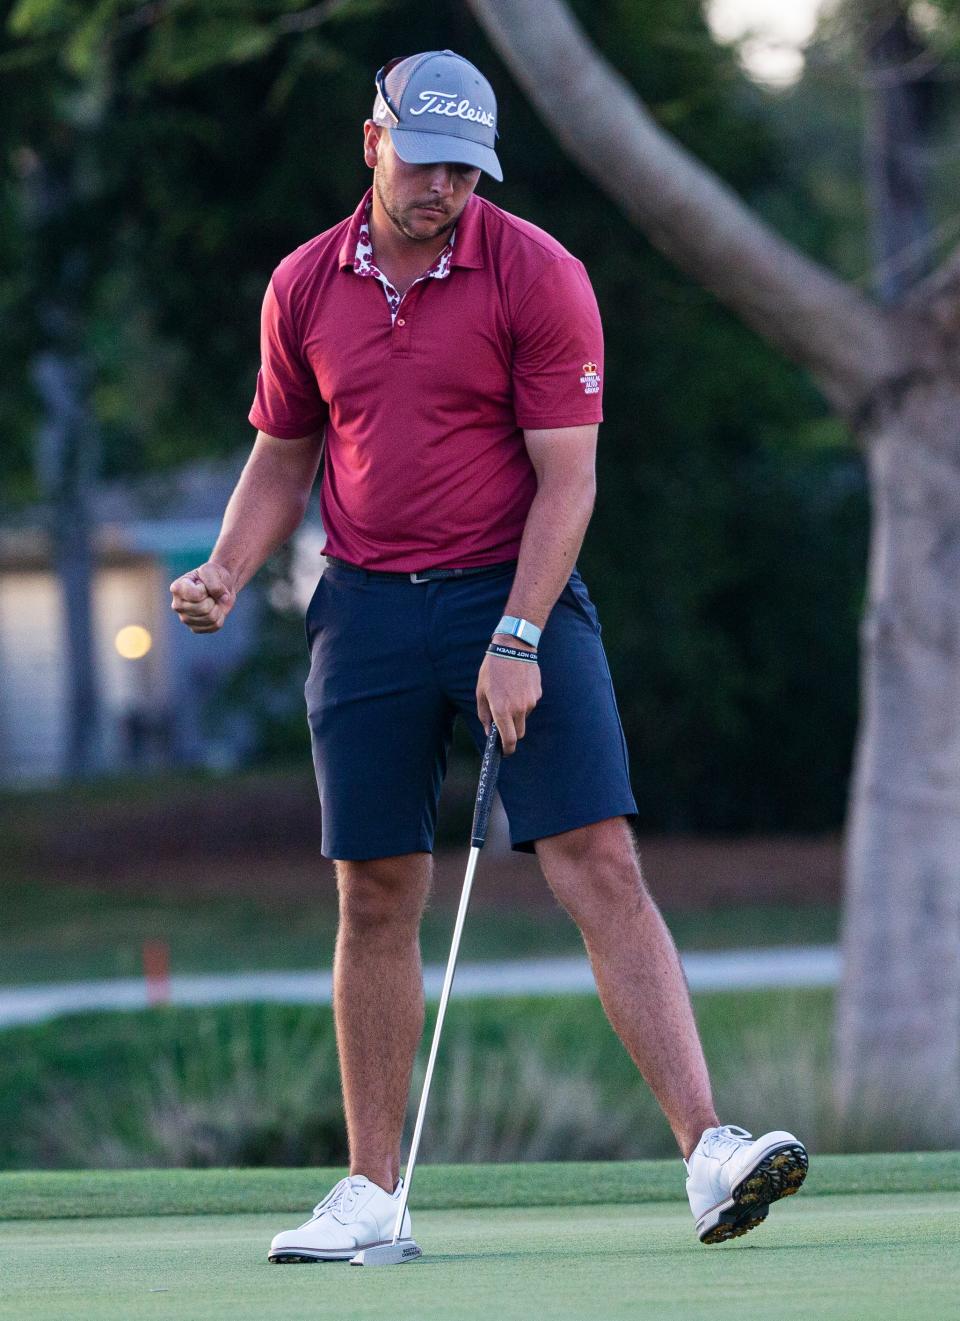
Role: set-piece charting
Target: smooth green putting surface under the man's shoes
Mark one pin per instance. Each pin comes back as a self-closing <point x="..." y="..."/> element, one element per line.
<point x="872" y="1250"/>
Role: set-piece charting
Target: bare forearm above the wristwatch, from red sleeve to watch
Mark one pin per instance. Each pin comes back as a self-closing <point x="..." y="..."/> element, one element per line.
<point x="553" y="537"/>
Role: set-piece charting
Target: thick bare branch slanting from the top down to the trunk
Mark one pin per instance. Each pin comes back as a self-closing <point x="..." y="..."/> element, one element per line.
<point x="691" y="216"/>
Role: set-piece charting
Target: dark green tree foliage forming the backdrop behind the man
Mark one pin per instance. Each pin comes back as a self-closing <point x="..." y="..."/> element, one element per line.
<point x="196" y="145"/>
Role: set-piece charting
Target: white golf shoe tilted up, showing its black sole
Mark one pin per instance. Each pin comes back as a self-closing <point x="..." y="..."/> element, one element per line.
<point x="734" y="1179"/>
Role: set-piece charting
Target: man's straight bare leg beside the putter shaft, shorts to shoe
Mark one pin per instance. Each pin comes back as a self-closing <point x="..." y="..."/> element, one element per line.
<point x="378" y="1003"/>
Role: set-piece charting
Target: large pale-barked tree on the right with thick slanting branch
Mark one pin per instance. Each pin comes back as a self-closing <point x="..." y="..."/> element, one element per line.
<point x="892" y="373"/>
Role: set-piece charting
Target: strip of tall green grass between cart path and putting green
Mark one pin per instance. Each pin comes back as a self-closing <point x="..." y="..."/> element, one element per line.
<point x="517" y="1080"/>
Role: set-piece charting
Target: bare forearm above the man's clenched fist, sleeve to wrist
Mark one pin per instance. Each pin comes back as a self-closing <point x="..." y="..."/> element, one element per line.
<point x="267" y="507"/>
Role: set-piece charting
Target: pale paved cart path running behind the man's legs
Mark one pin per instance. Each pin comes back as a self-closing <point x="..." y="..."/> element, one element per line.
<point x="727" y="970"/>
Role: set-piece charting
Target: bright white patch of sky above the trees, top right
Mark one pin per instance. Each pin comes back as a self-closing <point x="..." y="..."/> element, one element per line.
<point x="771" y="35"/>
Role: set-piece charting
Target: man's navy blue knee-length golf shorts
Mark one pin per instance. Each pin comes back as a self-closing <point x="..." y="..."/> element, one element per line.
<point x="394" y="662"/>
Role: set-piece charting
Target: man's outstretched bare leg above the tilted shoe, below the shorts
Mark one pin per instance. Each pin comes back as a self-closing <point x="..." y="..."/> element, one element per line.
<point x="595" y="873"/>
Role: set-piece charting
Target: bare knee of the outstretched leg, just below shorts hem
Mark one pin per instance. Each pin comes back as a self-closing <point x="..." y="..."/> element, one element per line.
<point x="596" y="867"/>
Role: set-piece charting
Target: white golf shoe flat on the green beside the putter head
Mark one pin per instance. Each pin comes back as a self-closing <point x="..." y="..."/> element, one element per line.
<point x="353" y="1216"/>
